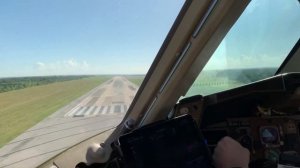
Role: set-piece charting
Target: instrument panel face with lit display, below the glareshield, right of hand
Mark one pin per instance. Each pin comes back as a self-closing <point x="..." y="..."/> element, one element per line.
<point x="265" y="138"/>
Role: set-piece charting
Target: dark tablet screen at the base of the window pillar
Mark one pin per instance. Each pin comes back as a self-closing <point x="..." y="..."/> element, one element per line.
<point x="171" y="144"/>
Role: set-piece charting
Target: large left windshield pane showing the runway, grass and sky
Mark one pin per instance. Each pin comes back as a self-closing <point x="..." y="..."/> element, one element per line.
<point x="69" y="70"/>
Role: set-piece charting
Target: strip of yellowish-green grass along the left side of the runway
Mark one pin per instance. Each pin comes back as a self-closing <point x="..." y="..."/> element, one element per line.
<point x="21" y="109"/>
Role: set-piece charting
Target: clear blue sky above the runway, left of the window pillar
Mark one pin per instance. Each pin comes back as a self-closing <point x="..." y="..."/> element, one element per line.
<point x="57" y="37"/>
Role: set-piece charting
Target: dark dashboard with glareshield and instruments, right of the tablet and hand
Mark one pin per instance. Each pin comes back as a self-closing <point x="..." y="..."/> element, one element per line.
<point x="263" y="116"/>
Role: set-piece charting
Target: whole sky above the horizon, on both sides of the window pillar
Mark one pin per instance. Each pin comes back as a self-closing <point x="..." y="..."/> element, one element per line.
<point x="68" y="37"/>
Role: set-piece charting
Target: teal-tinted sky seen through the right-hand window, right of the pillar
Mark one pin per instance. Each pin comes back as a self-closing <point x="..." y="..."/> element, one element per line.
<point x="262" y="36"/>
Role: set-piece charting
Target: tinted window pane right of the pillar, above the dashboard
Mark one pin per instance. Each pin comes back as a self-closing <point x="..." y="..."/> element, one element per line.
<point x="253" y="49"/>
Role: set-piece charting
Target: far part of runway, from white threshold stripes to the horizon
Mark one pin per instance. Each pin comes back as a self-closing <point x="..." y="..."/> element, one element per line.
<point x="113" y="97"/>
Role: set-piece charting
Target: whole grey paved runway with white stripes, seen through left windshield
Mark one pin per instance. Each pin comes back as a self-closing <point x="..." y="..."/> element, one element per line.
<point x="99" y="110"/>
